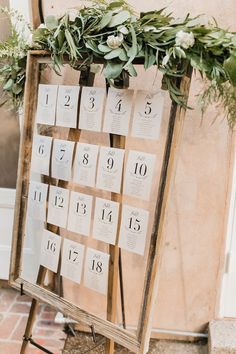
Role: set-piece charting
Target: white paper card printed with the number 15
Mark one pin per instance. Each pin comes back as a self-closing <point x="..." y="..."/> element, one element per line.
<point x="133" y="230"/>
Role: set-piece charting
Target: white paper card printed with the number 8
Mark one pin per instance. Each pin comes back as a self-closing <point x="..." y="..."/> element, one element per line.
<point x="85" y="164"/>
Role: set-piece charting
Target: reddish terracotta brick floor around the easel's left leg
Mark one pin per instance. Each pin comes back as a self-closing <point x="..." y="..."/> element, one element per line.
<point x="14" y="311"/>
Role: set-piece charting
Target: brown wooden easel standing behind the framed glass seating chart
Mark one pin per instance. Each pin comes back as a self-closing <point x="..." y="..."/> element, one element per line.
<point x="86" y="79"/>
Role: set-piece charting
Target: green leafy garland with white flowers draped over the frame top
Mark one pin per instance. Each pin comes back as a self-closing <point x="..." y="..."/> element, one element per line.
<point x="113" y="32"/>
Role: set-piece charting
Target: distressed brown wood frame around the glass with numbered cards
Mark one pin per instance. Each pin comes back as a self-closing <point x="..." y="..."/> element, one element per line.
<point x="137" y="343"/>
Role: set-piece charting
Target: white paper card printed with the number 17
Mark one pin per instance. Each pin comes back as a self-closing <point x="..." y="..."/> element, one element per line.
<point x="72" y="260"/>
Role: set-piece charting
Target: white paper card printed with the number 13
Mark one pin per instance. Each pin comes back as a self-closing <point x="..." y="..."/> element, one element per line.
<point x="80" y="210"/>
